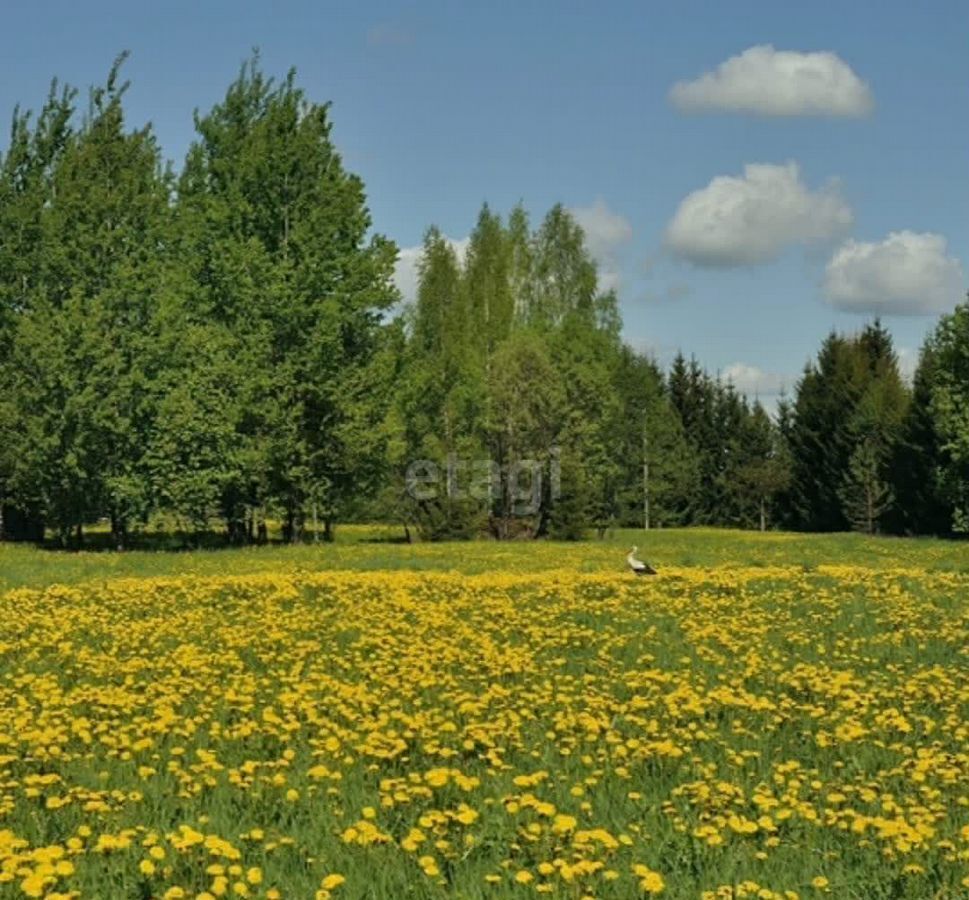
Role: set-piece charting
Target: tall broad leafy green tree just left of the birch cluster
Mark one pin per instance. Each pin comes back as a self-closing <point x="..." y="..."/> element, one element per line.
<point x="276" y="233"/>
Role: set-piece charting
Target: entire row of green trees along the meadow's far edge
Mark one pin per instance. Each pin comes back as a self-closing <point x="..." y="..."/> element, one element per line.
<point x="222" y="344"/>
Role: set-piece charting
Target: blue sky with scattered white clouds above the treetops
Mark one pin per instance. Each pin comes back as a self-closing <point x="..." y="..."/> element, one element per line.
<point x="440" y="107"/>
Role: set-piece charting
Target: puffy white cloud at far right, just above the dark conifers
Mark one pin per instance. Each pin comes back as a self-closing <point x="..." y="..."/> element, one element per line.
<point x="908" y="273"/>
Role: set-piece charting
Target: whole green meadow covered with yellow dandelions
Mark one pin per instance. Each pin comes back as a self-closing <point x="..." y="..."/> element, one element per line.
<point x="772" y="716"/>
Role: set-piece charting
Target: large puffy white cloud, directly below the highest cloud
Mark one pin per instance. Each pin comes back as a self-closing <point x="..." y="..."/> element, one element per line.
<point x="749" y="219"/>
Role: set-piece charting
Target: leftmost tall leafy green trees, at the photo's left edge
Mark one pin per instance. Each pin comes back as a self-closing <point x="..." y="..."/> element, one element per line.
<point x="80" y="370"/>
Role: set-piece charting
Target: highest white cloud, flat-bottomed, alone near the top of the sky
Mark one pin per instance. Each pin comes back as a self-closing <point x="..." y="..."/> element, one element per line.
<point x="770" y="82"/>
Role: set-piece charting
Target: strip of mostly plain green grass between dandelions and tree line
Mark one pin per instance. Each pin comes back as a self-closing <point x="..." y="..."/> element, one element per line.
<point x="369" y="547"/>
